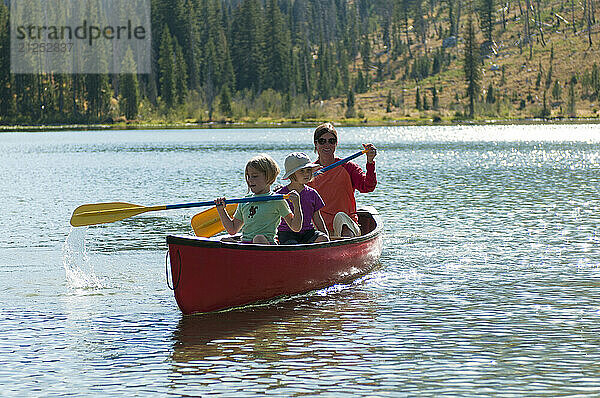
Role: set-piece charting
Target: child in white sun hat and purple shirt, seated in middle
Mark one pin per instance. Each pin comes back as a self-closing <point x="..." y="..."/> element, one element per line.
<point x="299" y="169"/>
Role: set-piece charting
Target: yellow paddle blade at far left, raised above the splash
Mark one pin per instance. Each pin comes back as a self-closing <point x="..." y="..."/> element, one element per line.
<point x="101" y="213"/>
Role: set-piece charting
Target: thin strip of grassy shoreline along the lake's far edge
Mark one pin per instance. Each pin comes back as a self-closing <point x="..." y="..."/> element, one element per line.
<point x="291" y="124"/>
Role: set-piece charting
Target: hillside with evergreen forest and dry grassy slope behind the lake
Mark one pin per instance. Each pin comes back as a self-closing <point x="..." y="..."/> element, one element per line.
<point x="277" y="60"/>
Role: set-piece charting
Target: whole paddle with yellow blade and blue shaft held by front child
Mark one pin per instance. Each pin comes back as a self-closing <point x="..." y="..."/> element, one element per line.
<point x="102" y="213"/>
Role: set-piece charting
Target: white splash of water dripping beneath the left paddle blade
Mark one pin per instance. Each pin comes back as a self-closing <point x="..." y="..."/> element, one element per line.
<point x="79" y="270"/>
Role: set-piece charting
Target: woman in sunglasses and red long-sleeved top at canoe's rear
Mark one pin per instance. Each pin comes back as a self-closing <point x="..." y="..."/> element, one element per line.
<point x="337" y="186"/>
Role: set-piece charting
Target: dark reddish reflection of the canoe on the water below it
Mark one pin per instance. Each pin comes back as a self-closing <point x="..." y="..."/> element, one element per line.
<point x="274" y="332"/>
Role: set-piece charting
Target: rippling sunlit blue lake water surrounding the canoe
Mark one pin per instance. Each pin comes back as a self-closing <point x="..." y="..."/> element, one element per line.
<point x="489" y="283"/>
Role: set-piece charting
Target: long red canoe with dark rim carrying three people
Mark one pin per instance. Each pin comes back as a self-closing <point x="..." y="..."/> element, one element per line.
<point x="209" y="275"/>
